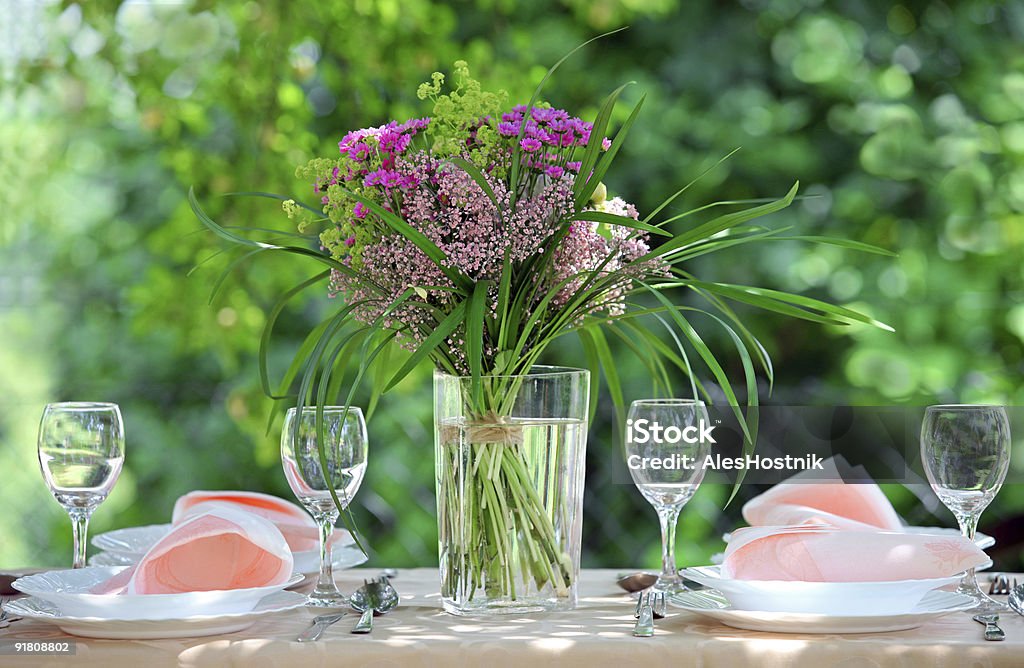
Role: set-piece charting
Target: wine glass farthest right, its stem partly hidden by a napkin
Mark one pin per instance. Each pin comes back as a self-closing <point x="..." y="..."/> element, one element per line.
<point x="966" y="453"/>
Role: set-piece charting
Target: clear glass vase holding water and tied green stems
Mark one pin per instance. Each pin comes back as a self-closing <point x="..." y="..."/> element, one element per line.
<point x="509" y="456"/>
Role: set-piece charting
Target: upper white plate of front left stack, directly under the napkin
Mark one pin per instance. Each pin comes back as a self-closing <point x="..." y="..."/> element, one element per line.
<point x="69" y="592"/>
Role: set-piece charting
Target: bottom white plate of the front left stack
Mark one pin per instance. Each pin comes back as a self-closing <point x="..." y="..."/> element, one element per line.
<point x="199" y="625"/>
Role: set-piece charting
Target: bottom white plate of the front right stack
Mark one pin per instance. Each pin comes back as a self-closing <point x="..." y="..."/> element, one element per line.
<point x="714" y="605"/>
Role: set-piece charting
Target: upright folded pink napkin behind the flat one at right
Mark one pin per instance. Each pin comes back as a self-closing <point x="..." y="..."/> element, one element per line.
<point x="860" y="507"/>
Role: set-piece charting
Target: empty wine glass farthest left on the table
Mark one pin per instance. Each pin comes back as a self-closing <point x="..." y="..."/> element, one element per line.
<point x="81" y="451"/>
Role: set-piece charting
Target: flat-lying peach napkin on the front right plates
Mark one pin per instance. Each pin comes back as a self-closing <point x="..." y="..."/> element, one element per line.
<point x="824" y="555"/>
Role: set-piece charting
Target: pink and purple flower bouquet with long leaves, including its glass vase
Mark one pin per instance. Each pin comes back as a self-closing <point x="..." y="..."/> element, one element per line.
<point x="474" y="239"/>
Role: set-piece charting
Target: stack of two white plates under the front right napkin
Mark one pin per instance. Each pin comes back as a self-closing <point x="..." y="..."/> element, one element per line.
<point x="820" y="607"/>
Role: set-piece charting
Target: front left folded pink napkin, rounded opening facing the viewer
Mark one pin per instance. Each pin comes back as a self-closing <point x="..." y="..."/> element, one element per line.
<point x="224" y="549"/>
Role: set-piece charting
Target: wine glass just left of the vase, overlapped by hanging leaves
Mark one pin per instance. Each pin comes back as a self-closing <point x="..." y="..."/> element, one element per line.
<point x="313" y="479"/>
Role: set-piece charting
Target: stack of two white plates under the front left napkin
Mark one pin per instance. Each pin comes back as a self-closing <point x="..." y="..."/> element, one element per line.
<point x="65" y="599"/>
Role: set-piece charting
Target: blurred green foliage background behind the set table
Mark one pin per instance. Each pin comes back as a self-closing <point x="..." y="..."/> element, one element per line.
<point x="906" y="120"/>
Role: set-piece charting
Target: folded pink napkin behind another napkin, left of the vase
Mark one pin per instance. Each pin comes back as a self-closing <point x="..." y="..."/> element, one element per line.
<point x="295" y="524"/>
